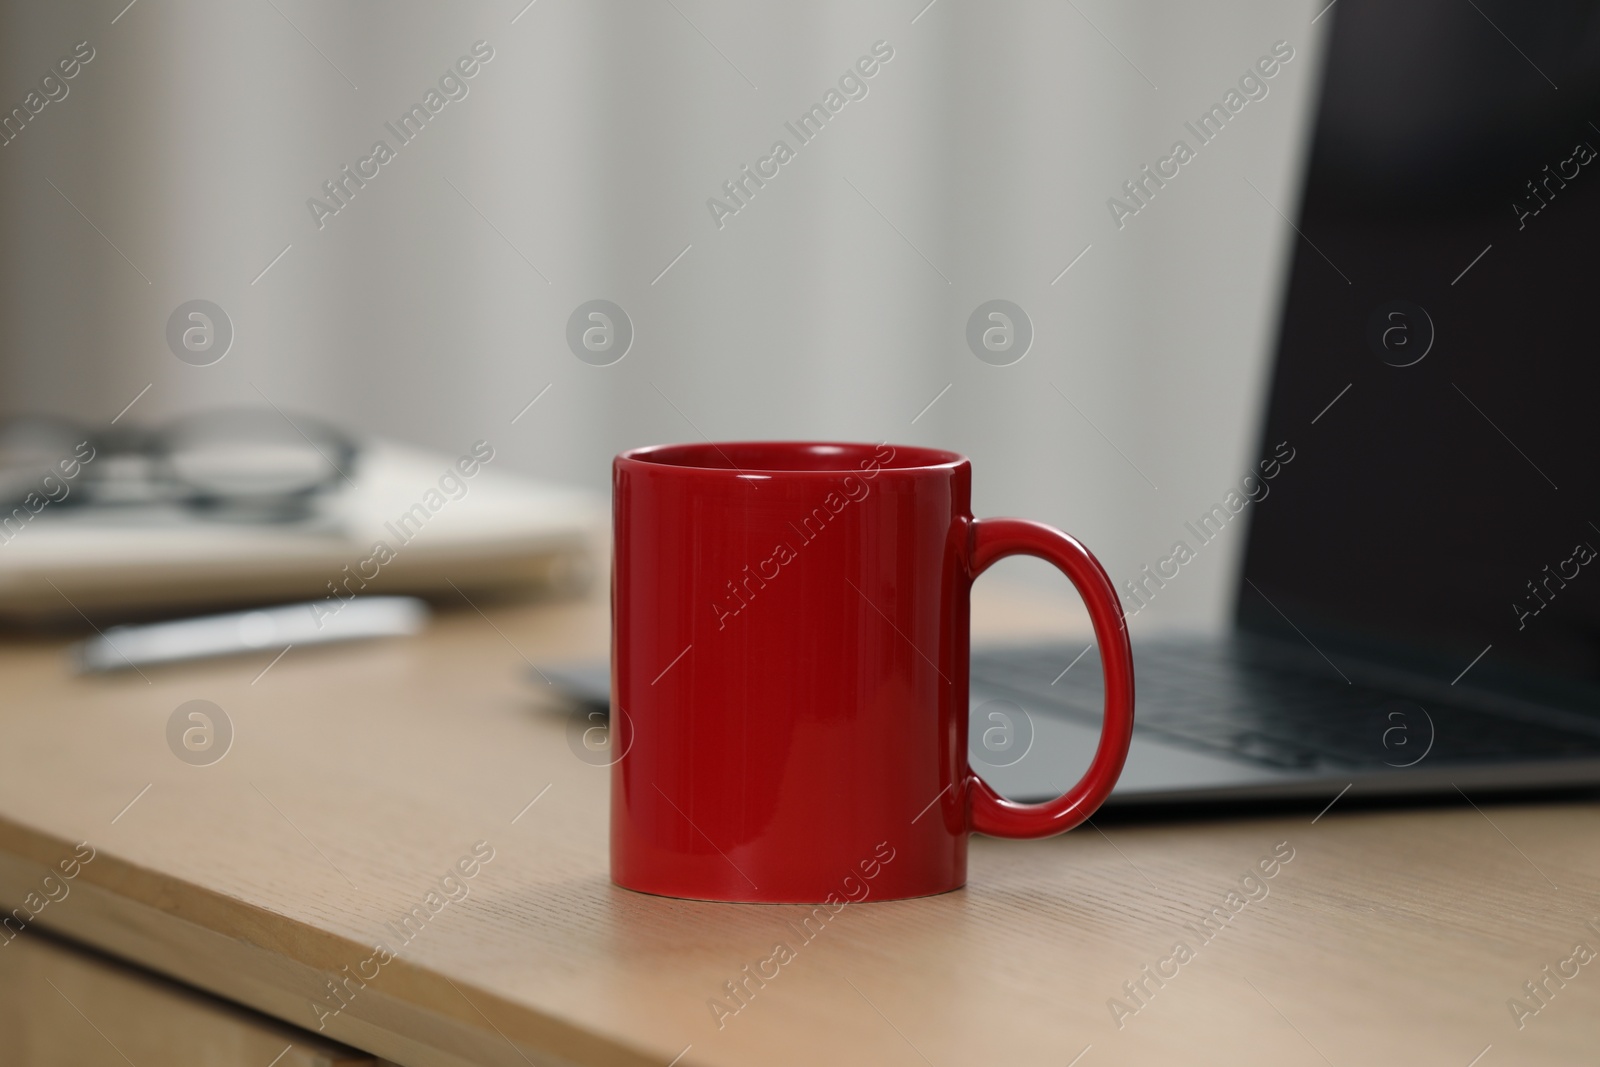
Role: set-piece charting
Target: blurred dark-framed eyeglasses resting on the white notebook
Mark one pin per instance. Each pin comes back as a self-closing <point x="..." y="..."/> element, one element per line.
<point x="241" y="465"/>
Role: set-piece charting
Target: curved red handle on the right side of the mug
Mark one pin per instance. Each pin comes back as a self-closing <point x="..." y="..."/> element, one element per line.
<point x="990" y="812"/>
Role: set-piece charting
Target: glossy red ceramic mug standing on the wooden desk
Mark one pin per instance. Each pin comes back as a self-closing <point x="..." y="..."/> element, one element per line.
<point x="790" y="665"/>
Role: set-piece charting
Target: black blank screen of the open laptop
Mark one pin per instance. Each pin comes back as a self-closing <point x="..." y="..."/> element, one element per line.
<point x="1439" y="361"/>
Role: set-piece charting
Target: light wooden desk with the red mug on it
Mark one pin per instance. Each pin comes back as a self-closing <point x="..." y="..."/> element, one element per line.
<point x="359" y="777"/>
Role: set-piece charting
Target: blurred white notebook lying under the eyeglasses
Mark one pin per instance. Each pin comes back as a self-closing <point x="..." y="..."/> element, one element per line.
<point x="401" y="529"/>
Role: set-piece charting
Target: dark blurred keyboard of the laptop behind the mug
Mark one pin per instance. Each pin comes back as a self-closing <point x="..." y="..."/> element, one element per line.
<point x="1278" y="709"/>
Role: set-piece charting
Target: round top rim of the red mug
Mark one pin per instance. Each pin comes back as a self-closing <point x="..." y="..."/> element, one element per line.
<point x="692" y="457"/>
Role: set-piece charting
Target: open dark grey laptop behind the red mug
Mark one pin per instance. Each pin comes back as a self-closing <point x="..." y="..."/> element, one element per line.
<point x="1418" y="609"/>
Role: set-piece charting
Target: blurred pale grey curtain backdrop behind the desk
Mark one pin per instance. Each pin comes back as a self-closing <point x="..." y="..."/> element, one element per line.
<point x="434" y="306"/>
